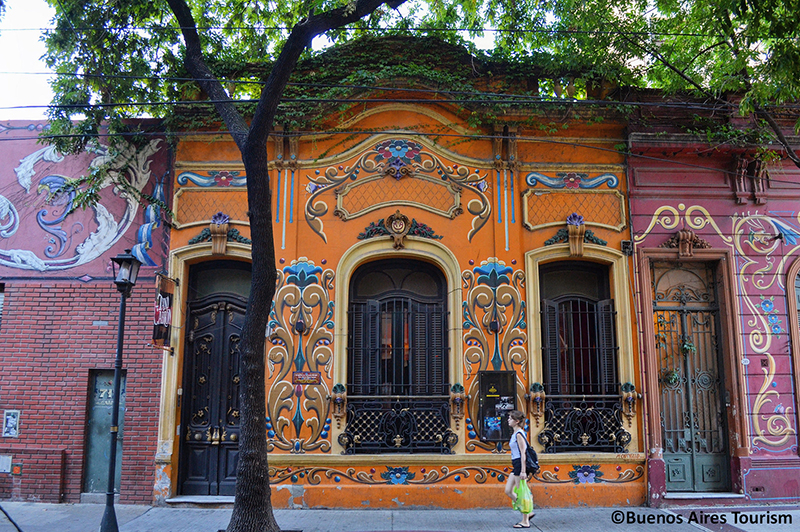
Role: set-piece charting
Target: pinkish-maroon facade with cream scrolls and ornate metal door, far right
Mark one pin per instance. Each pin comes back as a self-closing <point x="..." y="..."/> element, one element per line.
<point x="715" y="238"/>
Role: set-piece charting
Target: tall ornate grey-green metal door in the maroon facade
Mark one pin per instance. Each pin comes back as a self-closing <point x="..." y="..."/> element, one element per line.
<point x="693" y="419"/>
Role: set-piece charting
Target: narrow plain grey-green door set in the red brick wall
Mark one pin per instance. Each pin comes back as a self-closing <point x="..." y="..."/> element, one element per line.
<point x="98" y="435"/>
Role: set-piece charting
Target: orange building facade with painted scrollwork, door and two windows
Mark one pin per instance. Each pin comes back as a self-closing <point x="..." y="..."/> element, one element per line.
<point x="432" y="277"/>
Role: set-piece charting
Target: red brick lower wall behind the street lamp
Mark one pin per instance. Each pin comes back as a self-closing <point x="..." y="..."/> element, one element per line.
<point x="53" y="334"/>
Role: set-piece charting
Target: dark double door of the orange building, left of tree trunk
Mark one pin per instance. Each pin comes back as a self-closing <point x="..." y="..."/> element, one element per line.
<point x="210" y="409"/>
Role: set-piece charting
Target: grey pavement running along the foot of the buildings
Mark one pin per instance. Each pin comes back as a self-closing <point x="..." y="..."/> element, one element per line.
<point x="40" y="517"/>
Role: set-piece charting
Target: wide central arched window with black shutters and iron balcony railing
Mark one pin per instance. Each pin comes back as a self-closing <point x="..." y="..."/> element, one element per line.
<point x="397" y="361"/>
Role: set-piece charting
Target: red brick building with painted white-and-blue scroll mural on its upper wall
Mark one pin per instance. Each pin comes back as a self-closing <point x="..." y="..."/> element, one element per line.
<point x="60" y="311"/>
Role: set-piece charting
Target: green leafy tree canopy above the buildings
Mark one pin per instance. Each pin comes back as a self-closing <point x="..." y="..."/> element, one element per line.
<point x="118" y="60"/>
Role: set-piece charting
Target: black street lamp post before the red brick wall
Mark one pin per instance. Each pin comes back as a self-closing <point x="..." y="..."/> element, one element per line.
<point x="126" y="278"/>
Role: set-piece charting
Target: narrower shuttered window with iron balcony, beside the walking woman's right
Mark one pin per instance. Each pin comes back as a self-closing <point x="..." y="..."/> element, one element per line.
<point x="579" y="359"/>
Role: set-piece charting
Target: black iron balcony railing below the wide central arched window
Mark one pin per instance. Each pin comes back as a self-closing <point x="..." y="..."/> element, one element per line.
<point x="400" y="425"/>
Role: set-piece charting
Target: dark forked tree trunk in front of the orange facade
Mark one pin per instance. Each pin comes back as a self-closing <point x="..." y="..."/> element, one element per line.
<point x="252" y="509"/>
